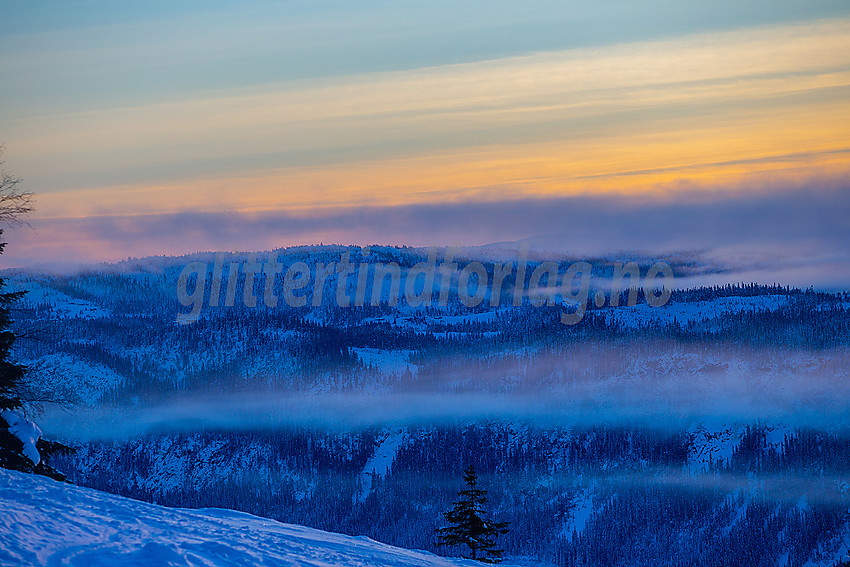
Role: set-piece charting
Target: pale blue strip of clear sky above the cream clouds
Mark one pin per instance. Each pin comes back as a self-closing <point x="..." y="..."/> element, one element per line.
<point x="81" y="55"/>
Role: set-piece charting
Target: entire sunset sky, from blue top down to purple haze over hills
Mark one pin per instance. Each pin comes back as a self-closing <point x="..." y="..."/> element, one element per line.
<point x="718" y="128"/>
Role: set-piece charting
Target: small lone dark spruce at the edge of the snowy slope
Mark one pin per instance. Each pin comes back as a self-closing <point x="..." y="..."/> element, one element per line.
<point x="468" y="527"/>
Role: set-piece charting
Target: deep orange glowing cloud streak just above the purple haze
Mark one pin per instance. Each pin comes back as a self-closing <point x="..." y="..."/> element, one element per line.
<point x="704" y="151"/>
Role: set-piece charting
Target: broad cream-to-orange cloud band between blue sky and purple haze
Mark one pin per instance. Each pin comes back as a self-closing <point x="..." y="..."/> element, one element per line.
<point x="649" y="118"/>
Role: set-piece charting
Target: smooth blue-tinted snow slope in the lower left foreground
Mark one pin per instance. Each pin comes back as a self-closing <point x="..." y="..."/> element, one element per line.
<point x="43" y="522"/>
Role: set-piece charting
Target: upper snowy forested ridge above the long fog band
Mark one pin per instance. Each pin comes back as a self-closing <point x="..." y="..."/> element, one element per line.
<point x="120" y="319"/>
